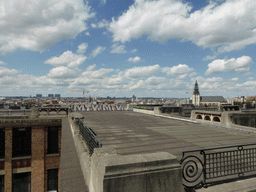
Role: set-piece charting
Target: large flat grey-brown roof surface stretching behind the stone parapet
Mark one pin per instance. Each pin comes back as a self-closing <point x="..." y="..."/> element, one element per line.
<point x="136" y="133"/>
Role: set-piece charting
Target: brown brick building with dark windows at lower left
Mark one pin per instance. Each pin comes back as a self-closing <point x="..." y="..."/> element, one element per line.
<point x="30" y="150"/>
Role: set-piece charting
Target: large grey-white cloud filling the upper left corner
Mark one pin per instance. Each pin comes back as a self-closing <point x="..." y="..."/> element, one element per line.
<point x="37" y="25"/>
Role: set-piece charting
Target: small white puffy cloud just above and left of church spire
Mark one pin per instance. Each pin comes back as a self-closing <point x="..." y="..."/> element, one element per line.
<point x="179" y="70"/>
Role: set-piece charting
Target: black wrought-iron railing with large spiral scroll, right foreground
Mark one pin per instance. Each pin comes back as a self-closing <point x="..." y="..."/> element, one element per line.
<point x="201" y="168"/>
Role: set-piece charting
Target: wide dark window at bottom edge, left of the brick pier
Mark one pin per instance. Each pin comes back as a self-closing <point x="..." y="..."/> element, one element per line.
<point x="21" y="182"/>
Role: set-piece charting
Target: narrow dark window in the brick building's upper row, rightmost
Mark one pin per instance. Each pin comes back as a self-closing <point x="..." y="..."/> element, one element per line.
<point x="53" y="141"/>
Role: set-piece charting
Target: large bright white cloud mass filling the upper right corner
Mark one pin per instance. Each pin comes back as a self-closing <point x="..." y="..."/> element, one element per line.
<point x="226" y="26"/>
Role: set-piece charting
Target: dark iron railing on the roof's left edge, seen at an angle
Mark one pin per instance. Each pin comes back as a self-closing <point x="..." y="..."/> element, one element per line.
<point x="89" y="136"/>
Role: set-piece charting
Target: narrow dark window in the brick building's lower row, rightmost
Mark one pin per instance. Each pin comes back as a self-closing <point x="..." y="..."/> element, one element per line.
<point x="52" y="180"/>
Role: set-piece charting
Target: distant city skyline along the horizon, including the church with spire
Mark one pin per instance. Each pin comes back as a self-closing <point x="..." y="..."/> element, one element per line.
<point x="23" y="102"/>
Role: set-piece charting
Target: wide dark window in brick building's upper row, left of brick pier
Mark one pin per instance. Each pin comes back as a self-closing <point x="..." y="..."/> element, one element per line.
<point x="21" y="142"/>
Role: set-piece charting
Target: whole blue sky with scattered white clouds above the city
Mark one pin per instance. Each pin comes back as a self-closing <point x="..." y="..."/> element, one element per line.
<point x="122" y="48"/>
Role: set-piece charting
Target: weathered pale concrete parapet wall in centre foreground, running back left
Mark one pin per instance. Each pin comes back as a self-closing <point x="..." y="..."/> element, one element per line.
<point x="106" y="171"/>
